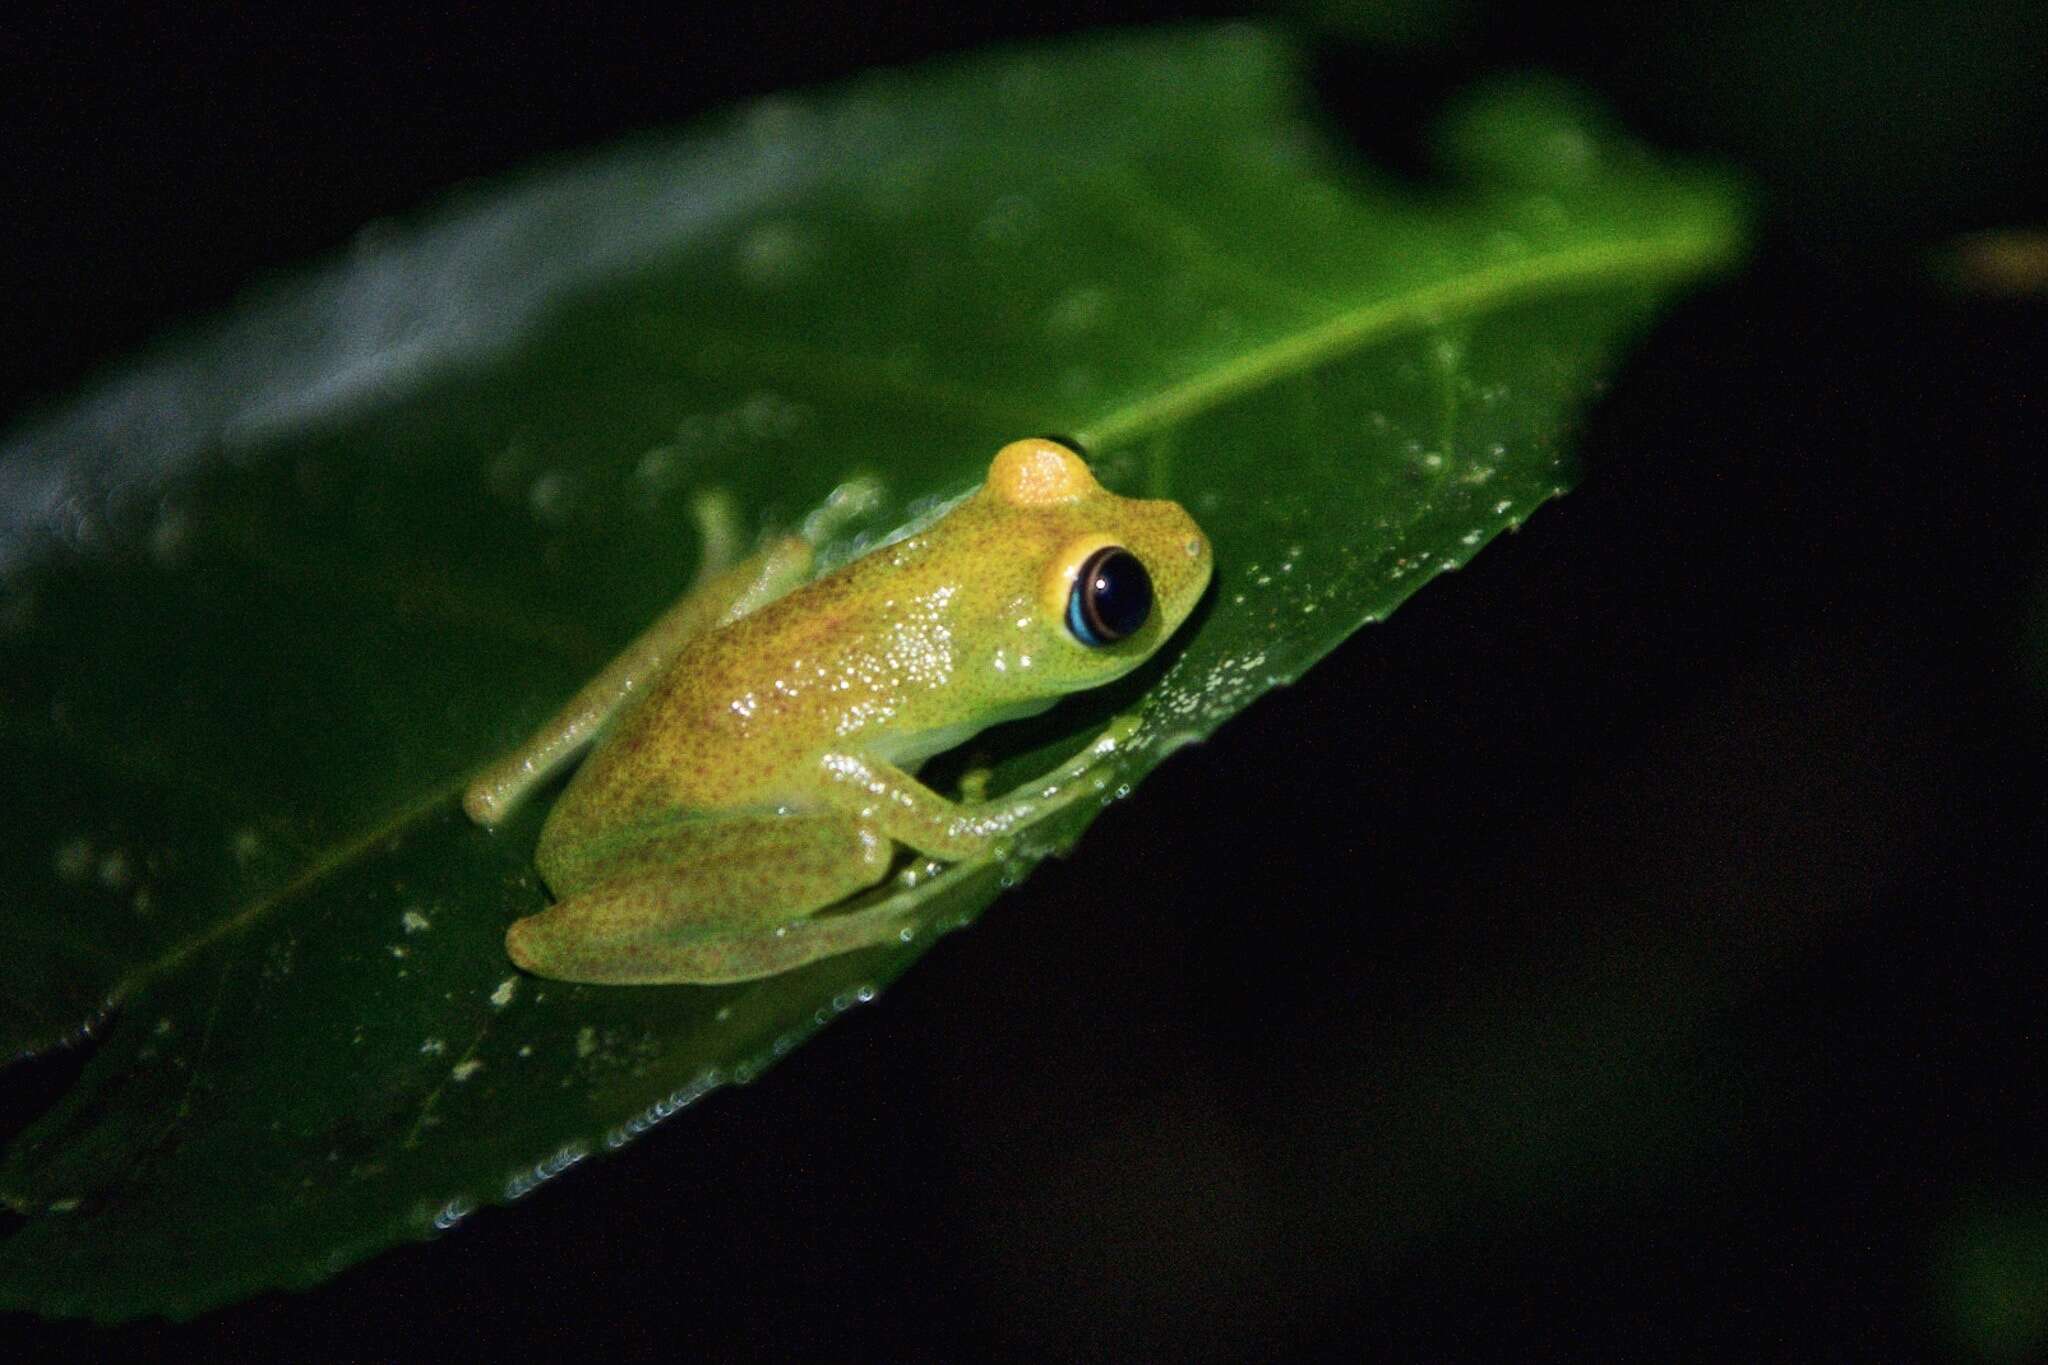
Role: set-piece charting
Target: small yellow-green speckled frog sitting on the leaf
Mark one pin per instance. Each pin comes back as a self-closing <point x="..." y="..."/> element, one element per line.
<point x="751" y="760"/>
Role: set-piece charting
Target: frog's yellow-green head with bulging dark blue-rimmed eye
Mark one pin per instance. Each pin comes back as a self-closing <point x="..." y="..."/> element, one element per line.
<point x="1097" y="582"/>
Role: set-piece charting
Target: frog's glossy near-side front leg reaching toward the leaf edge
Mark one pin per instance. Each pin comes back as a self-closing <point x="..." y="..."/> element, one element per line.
<point x="955" y="832"/>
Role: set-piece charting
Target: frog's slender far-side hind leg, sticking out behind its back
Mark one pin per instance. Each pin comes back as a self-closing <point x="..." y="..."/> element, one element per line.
<point x="722" y="595"/>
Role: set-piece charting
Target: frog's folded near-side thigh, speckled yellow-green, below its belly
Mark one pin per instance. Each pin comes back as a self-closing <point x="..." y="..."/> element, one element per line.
<point x="654" y="904"/>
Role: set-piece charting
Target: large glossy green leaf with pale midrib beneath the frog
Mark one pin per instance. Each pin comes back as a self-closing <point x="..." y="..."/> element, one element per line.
<point x="278" y="586"/>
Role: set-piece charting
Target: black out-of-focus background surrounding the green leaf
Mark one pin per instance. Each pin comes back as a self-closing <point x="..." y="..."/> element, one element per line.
<point x="1631" y="946"/>
